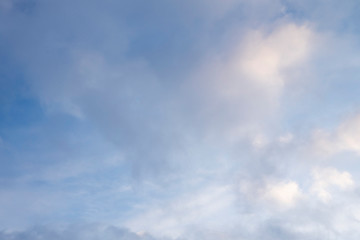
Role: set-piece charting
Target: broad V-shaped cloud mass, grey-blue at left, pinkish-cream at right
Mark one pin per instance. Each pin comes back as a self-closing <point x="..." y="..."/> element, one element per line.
<point x="97" y="78"/>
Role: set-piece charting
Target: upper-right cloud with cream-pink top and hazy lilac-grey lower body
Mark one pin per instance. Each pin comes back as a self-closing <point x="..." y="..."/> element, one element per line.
<point x="238" y="90"/>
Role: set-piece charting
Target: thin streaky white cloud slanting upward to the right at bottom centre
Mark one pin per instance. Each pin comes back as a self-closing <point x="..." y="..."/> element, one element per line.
<point x="211" y="207"/>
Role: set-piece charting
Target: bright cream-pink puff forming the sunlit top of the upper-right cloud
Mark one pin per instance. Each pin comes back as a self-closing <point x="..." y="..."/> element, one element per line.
<point x="266" y="56"/>
